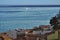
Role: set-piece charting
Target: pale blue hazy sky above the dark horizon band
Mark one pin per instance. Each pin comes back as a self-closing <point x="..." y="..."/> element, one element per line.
<point x="29" y="2"/>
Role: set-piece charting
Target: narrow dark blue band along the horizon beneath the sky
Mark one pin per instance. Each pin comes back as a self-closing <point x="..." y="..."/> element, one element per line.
<point x="29" y="5"/>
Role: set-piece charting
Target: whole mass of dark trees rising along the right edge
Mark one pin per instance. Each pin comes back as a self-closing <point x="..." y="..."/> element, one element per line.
<point x="55" y="22"/>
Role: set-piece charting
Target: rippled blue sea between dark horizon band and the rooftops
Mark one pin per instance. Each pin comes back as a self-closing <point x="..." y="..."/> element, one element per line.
<point x="25" y="17"/>
